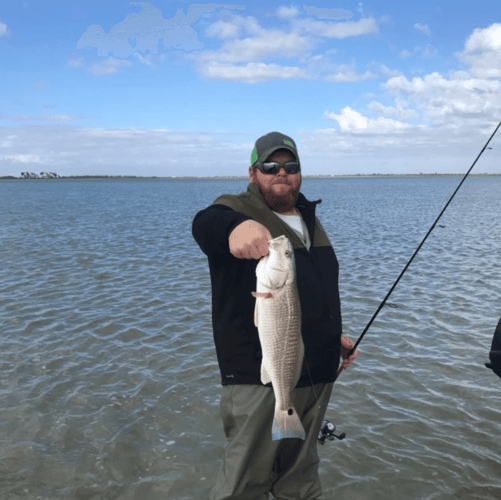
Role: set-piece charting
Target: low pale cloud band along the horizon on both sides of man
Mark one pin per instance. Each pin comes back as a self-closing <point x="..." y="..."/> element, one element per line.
<point x="72" y="150"/>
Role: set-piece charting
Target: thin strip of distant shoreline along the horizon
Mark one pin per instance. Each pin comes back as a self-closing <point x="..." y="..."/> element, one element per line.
<point x="347" y="176"/>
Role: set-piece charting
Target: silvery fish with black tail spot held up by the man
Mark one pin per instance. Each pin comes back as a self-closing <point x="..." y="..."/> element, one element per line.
<point x="277" y="316"/>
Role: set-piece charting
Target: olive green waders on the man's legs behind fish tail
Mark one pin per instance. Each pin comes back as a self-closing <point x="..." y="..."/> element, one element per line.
<point x="252" y="464"/>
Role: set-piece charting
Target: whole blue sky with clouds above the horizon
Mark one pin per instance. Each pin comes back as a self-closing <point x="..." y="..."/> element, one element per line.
<point x="169" y="88"/>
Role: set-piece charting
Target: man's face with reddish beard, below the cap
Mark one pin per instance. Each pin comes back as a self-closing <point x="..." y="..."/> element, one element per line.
<point x="280" y="190"/>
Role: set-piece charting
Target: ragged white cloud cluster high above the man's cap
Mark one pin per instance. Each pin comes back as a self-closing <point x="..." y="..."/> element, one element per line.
<point x="263" y="44"/>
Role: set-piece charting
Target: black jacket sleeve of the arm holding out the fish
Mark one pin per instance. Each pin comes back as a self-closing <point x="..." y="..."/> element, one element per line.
<point x="212" y="226"/>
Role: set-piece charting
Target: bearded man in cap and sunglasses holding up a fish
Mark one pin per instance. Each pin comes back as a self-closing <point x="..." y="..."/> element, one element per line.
<point x="233" y="232"/>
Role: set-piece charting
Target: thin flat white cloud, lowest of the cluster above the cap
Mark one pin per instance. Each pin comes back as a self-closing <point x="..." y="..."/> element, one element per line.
<point x="252" y="72"/>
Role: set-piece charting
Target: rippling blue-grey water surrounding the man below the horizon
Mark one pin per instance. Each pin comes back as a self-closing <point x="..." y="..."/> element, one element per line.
<point x="109" y="384"/>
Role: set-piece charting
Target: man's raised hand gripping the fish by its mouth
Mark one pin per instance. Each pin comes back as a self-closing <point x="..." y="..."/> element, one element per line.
<point x="249" y="240"/>
